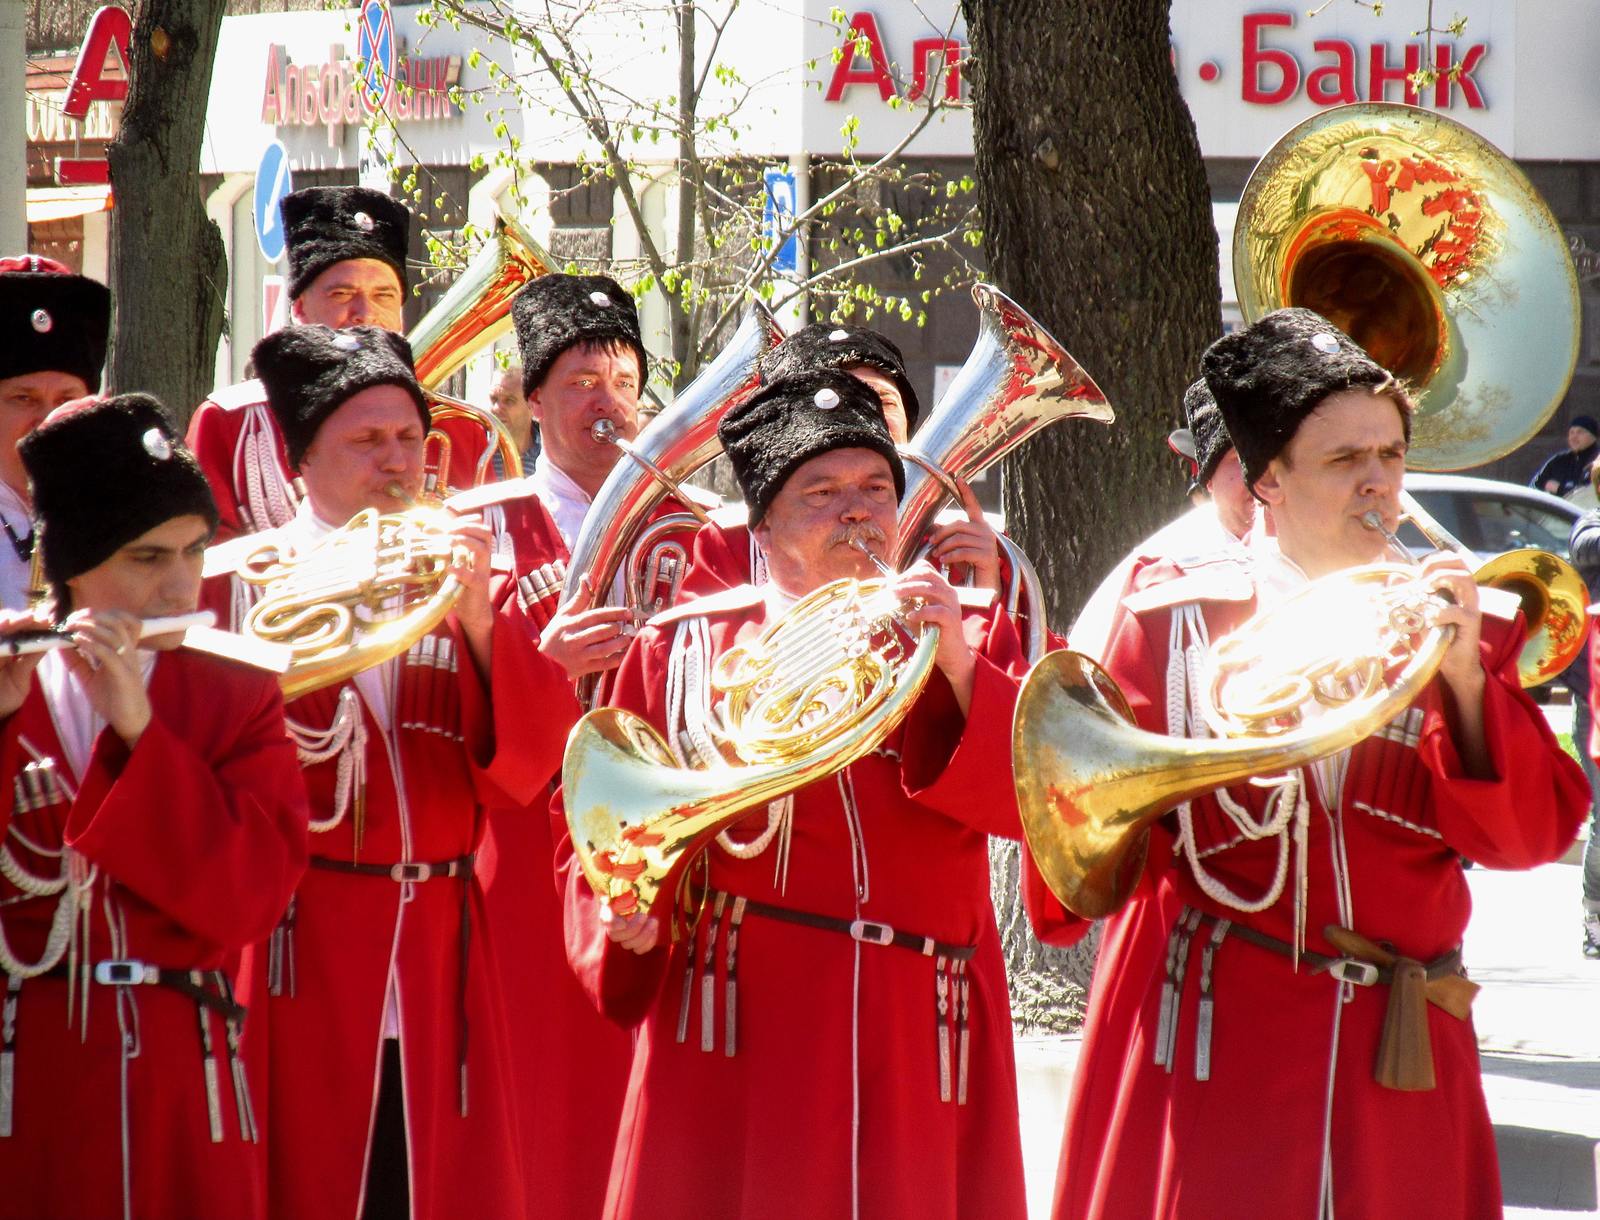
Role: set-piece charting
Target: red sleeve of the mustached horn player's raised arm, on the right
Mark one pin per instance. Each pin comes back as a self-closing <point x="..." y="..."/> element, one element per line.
<point x="962" y="766"/>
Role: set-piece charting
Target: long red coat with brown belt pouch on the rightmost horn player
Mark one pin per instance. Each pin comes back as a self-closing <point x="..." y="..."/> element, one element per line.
<point x="1143" y="1141"/>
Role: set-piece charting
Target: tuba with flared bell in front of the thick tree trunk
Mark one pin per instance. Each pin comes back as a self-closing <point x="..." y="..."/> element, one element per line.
<point x="1015" y="382"/>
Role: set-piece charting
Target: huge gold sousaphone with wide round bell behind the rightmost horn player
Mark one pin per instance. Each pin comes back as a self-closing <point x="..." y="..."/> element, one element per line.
<point x="1431" y="249"/>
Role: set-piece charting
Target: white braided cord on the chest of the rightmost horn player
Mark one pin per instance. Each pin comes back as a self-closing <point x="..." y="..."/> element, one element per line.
<point x="1287" y="805"/>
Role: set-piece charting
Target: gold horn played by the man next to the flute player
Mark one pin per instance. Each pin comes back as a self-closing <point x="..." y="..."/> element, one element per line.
<point x="362" y="595"/>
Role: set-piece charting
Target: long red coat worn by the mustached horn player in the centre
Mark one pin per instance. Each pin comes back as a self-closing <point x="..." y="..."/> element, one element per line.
<point x="834" y="1088"/>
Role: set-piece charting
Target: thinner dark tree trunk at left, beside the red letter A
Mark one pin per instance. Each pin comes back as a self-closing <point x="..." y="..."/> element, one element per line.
<point x="169" y="270"/>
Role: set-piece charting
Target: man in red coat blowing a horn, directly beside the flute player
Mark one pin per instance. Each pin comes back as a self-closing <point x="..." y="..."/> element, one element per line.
<point x="388" y="1045"/>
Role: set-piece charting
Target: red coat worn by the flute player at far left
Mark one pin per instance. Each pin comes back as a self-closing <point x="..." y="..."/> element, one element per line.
<point x="198" y="837"/>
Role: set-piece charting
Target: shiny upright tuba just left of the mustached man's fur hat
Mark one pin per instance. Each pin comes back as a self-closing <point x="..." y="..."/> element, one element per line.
<point x="671" y="449"/>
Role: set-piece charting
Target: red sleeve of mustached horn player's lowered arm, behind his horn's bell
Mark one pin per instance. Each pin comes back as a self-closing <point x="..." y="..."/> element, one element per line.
<point x="620" y="984"/>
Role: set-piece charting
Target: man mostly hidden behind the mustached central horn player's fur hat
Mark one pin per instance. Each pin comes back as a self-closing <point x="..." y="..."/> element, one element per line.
<point x="726" y="552"/>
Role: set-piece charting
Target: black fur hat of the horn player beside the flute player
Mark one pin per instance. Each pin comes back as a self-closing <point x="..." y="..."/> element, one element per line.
<point x="311" y="372"/>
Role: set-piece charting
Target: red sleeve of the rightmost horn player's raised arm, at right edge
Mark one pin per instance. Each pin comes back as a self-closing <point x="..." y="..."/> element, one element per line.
<point x="1532" y="813"/>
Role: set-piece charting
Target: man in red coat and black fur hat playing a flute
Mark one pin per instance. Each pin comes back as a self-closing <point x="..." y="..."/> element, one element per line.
<point x="156" y="829"/>
